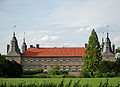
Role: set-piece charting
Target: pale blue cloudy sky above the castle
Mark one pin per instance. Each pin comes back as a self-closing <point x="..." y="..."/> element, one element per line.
<point x="58" y="23"/>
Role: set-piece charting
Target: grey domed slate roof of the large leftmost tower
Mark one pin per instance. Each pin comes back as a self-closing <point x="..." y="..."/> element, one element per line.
<point x="14" y="49"/>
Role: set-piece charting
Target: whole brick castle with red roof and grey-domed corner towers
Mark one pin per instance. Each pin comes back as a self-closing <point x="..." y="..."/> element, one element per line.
<point x="68" y="58"/>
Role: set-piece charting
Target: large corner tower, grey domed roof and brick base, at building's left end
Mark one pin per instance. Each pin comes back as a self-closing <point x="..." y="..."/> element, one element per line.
<point x="13" y="51"/>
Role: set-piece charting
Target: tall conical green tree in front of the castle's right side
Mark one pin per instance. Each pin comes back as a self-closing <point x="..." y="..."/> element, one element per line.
<point x="92" y="54"/>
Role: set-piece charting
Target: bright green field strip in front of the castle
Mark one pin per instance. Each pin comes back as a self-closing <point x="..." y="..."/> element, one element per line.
<point x="94" y="82"/>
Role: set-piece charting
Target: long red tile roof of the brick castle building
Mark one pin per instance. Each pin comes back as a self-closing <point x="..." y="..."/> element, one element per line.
<point x="55" y="52"/>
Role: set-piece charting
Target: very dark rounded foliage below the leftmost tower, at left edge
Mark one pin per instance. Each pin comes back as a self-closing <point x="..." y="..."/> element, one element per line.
<point x="9" y="68"/>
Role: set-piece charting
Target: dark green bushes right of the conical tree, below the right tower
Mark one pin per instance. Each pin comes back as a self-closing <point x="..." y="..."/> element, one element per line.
<point x="108" y="69"/>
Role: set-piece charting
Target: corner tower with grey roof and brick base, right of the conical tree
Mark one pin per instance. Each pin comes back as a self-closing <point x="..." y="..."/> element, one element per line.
<point x="107" y="53"/>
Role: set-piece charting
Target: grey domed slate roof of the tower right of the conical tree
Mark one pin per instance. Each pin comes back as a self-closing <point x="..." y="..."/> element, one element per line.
<point x="107" y="46"/>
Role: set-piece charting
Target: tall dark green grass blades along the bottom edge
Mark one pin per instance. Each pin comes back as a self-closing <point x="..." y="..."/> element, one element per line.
<point x="61" y="84"/>
